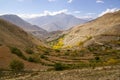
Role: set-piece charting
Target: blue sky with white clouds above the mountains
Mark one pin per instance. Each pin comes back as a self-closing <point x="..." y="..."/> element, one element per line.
<point x="79" y="8"/>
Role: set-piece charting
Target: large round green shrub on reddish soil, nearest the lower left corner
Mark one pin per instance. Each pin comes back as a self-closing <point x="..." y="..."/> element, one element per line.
<point x="17" y="65"/>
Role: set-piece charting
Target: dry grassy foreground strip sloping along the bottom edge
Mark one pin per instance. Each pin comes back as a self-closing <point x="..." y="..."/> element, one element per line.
<point x="99" y="73"/>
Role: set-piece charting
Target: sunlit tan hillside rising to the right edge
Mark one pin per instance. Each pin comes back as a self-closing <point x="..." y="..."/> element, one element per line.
<point x="103" y="30"/>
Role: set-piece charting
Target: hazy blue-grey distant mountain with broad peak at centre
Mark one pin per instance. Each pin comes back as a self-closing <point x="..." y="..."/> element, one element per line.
<point x="57" y="22"/>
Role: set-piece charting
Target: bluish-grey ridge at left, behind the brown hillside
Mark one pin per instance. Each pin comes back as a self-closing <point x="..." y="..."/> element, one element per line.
<point x="24" y="25"/>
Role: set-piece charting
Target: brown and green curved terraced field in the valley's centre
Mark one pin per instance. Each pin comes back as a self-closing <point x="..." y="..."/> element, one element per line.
<point x="51" y="60"/>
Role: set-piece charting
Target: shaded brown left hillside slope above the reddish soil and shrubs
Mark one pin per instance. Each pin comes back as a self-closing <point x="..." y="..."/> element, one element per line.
<point x="11" y="35"/>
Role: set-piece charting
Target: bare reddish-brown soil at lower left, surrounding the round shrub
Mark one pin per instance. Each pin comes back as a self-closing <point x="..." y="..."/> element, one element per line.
<point x="6" y="57"/>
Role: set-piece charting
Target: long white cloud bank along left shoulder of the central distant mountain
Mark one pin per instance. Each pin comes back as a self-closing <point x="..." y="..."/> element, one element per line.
<point x="45" y="13"/>
